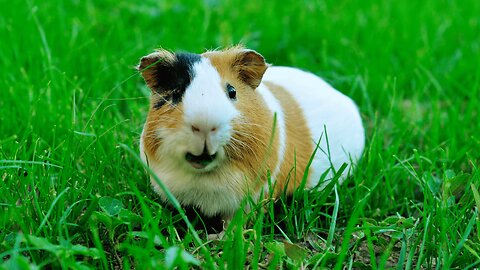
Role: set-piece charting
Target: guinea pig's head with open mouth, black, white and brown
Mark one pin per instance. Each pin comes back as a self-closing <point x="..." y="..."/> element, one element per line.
<point x="198" y="104"/>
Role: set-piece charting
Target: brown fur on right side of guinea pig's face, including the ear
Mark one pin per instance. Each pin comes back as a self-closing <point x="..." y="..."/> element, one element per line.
<point x="249" y="149"/>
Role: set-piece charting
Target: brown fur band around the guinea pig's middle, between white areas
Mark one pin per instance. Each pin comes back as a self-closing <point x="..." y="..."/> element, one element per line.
<point x="298" y="148"/>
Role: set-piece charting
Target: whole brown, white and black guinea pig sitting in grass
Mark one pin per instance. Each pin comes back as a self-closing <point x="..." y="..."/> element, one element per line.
<point x="224" y="125"/>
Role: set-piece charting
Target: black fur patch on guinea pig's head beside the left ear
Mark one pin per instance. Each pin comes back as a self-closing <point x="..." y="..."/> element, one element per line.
<point x="174" y="78"/>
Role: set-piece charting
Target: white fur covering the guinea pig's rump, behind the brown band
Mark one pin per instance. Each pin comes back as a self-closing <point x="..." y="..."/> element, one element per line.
<point x="324" y="107"/>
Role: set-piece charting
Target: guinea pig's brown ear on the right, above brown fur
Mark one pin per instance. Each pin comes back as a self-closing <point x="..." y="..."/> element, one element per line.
<point x="250" y="67"/>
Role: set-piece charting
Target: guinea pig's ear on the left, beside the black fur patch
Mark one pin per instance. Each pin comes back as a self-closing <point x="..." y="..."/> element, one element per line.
<point x="155" y="66"/>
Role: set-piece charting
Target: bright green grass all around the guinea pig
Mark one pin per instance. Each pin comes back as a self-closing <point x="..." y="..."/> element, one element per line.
<point x="72" y="105"/>
